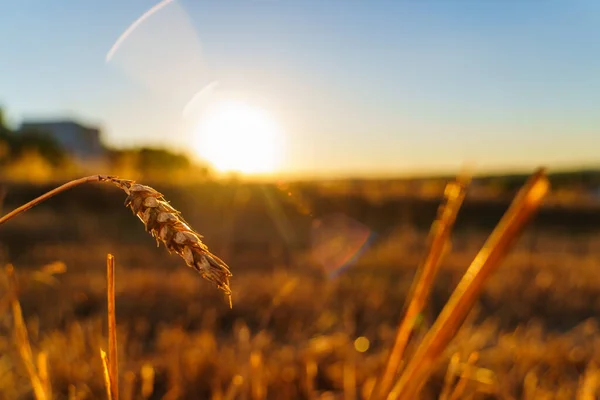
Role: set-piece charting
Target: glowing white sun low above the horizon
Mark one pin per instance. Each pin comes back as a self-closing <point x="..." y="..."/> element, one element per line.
<point x="236" y="137"/>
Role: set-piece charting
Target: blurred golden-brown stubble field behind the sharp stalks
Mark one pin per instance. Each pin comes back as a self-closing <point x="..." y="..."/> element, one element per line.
<point x="321" y="272"/>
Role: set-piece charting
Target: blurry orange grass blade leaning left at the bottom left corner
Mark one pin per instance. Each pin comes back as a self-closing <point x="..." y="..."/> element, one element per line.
<point x="22" y="338"/>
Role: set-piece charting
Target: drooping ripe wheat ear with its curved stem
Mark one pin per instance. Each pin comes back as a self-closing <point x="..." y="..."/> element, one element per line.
<point x="162" y="221"/>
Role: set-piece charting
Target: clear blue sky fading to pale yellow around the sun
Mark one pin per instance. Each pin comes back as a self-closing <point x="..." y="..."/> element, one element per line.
<point x="356" y="86"/>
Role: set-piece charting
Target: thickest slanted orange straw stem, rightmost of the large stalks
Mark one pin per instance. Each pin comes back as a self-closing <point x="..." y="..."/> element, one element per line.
<point x="466" y="293"/>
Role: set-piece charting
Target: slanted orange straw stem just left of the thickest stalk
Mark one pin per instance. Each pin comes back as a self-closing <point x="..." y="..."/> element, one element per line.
<point x="424" y="279"/>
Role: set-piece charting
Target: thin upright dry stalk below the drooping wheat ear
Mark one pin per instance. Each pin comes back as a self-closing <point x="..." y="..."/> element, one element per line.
<point x="112" y="327"/>
